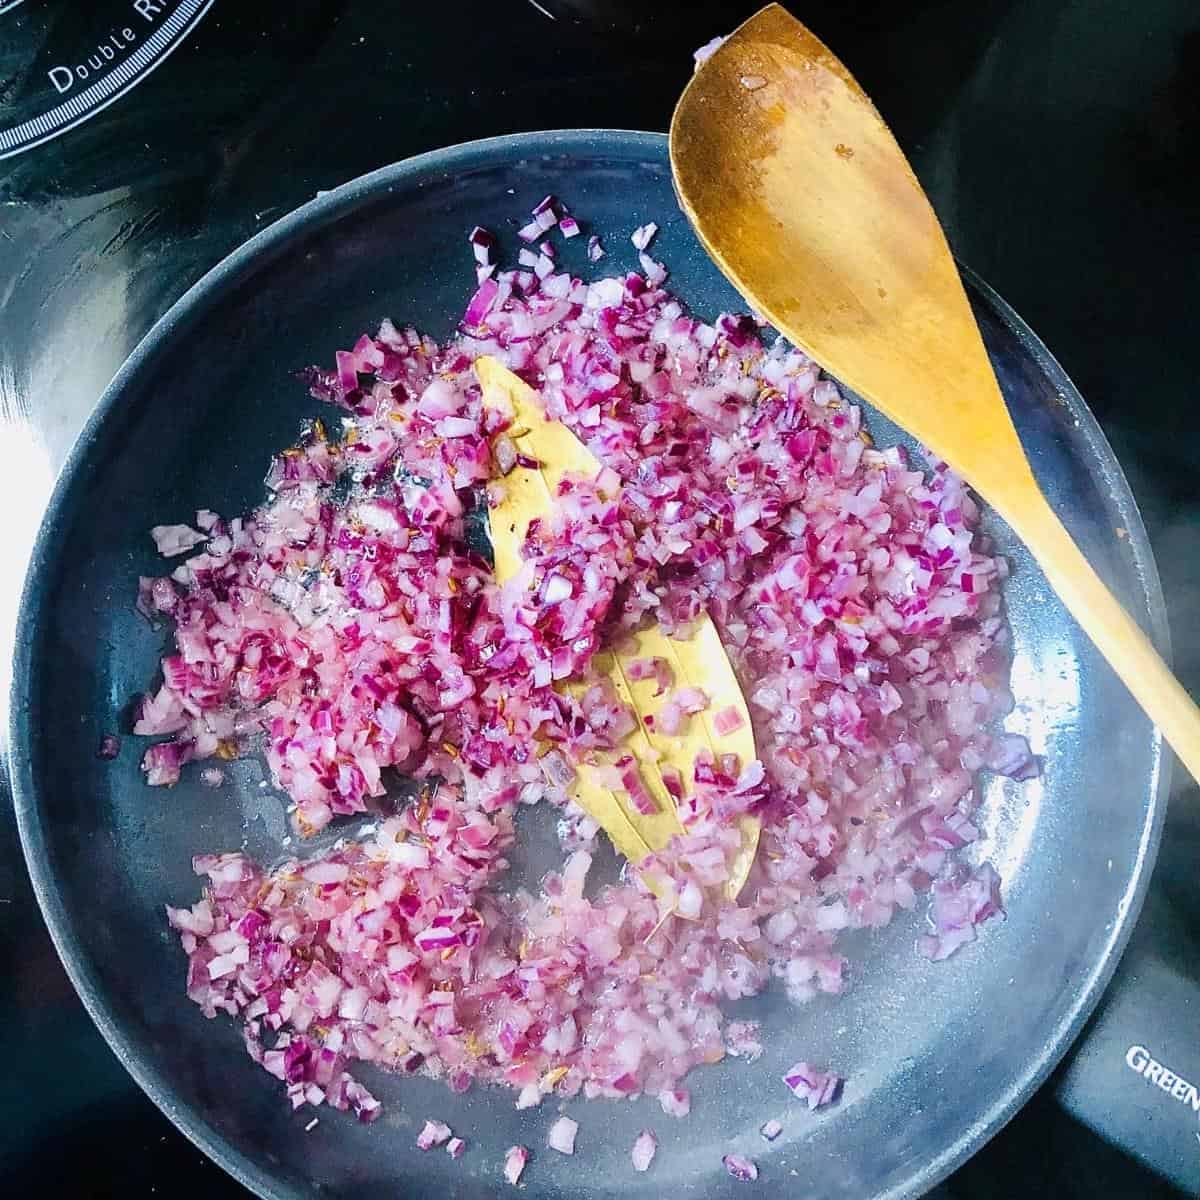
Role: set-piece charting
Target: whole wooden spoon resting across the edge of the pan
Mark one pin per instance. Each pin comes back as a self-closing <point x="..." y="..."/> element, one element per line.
<point x="803" y="199"/>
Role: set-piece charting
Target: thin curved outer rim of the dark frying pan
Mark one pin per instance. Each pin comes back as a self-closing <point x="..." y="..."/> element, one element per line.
<point x="323" y="211"/>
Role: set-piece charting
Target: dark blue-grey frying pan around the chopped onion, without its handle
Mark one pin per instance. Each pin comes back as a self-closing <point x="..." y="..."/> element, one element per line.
<point x="938" y="1057"/>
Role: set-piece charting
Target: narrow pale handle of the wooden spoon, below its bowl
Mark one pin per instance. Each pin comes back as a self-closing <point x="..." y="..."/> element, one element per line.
<point x="1111" y="628"/>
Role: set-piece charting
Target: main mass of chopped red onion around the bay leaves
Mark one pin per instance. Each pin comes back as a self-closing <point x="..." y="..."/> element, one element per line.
<point x="351" y="627"/>
